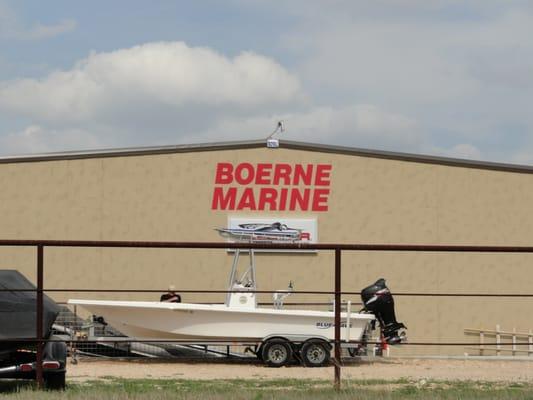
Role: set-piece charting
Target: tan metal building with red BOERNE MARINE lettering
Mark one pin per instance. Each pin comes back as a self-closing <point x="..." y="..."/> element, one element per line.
<point x="180" y="193"/>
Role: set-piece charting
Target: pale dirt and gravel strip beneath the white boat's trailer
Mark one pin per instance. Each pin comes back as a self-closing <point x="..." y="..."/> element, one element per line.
<point x="508" y="371"/>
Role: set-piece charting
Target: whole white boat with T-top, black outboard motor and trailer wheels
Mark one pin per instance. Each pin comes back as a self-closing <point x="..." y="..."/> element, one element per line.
<point x="280" y="335"/>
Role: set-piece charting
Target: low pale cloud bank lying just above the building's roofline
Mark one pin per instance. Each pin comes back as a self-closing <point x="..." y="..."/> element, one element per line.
<point x="363" y="126"/>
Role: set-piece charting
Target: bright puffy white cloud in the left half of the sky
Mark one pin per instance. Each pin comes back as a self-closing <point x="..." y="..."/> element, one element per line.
<point x="166" y="74"/>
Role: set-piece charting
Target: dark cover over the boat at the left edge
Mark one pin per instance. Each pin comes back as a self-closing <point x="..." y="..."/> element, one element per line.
<point x="18" y="310"/>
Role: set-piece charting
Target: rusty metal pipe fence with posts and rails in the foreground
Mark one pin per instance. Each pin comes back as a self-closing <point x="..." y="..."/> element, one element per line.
<point x="39" y="340"/>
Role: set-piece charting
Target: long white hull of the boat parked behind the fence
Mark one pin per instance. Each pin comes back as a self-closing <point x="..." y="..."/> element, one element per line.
<point x="173" y="321"/>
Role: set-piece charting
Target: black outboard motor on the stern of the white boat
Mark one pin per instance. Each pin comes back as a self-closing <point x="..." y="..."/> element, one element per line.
<point x="378" y="300"/>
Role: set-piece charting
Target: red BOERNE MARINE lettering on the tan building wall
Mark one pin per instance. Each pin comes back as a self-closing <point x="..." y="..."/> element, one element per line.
<point x="271" y="187"/>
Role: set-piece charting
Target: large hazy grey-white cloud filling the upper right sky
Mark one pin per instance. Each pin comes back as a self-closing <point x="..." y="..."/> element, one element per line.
<point x="442" y="62"/>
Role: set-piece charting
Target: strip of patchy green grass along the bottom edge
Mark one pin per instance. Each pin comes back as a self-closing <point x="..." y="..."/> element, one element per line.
<point x="160" y="389"/>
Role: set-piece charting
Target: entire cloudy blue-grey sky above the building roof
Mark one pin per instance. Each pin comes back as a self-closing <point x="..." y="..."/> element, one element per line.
<point x="451" y="78"/>
